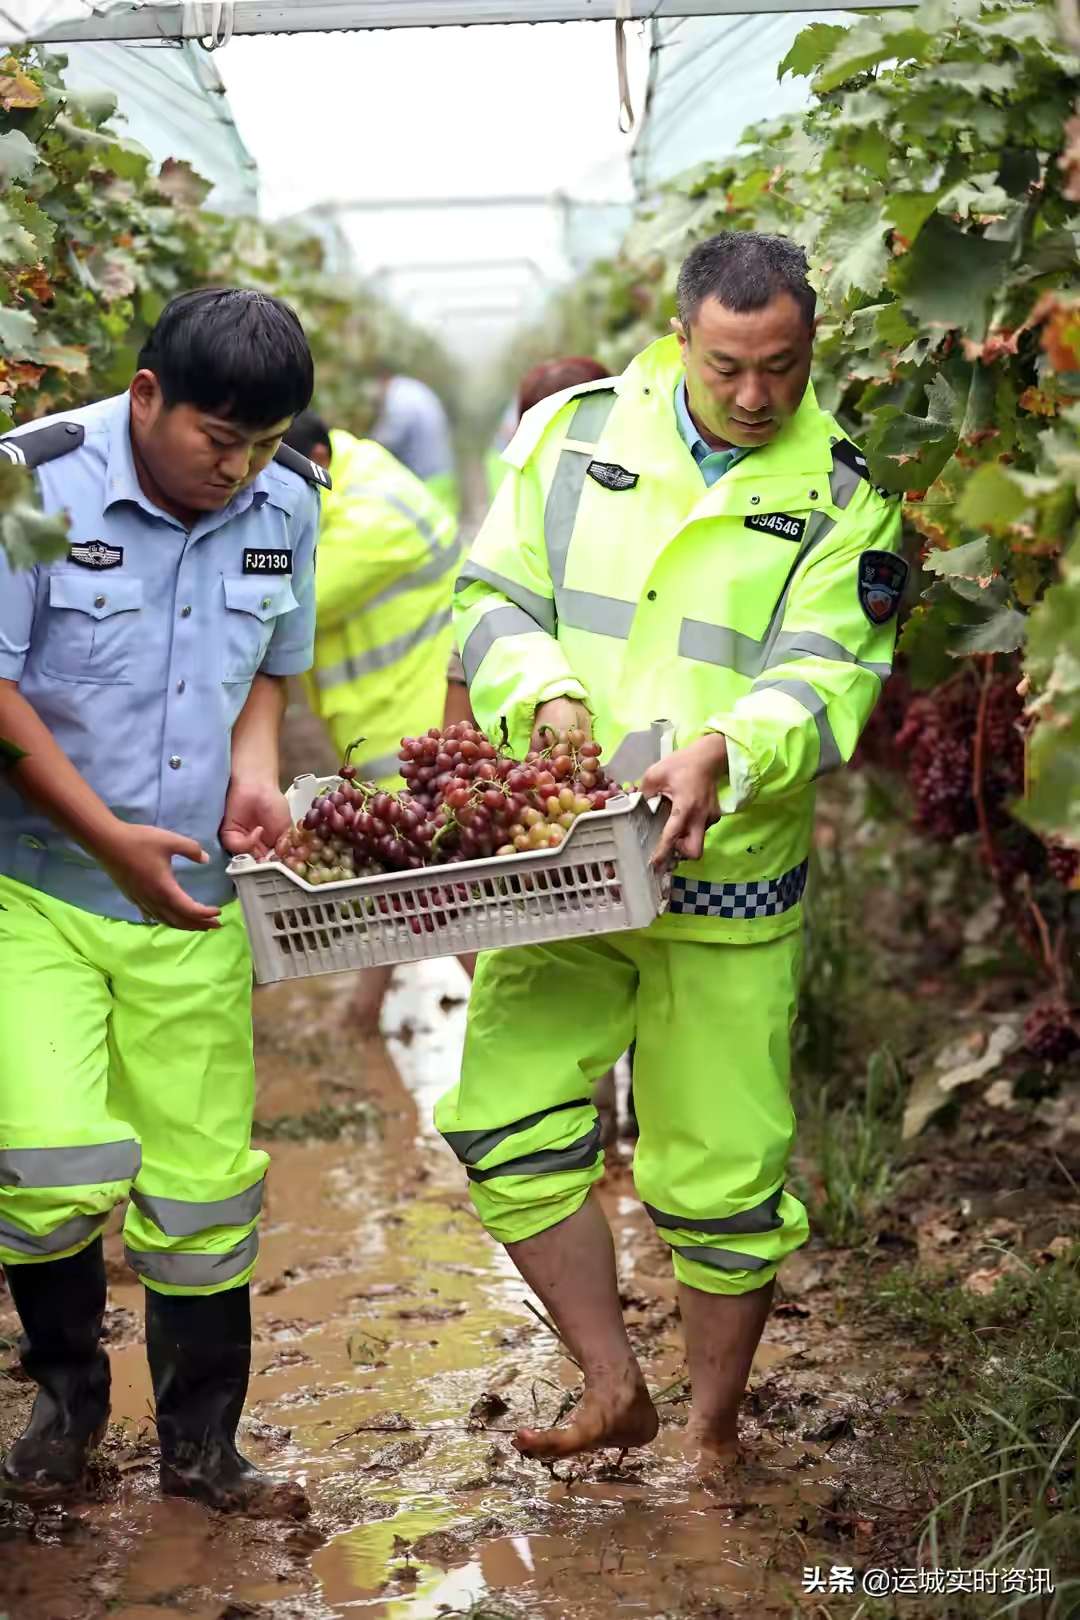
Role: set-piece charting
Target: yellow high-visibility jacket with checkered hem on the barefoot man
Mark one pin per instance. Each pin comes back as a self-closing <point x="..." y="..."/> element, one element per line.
<point x="762" y="608"/>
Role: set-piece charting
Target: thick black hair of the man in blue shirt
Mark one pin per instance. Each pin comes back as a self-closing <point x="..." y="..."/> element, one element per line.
<point x="234" y="352"/>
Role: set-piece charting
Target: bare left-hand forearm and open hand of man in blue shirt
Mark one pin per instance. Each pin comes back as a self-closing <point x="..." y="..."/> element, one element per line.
<point x="138" y="859"/>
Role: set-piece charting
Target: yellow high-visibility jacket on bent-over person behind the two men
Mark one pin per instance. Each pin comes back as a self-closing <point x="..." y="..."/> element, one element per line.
<point x="385" y="579"/>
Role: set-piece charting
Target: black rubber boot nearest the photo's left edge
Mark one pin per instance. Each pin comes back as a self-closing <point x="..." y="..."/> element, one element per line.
<point x="62" y="1307"/>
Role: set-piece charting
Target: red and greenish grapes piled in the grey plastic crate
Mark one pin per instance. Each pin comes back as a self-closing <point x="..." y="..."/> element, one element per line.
<point x="464" y="801"/>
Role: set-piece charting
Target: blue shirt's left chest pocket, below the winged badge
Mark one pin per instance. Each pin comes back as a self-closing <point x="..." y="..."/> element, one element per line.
<point x="93" y="629"/>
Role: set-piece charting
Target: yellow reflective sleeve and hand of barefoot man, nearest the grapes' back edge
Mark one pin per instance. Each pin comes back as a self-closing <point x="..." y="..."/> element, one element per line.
<point x="504" y="615"/>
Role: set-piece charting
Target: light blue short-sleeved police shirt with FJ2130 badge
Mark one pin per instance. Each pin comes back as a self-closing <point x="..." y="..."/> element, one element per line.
<point x="140" y="647"/>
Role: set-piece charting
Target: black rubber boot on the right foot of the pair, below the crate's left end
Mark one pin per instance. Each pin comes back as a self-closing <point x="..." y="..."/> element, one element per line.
<point x="200" y="1354"/>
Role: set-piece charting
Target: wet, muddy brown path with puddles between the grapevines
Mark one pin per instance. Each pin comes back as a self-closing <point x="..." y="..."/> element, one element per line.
<point x="396" y="1357"/>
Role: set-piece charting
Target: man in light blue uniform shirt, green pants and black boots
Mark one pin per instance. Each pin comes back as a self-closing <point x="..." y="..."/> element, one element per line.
<point x="142" y="676"/>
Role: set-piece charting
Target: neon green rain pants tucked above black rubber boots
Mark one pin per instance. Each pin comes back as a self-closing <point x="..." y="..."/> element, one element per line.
<point x="127" y="1072"/>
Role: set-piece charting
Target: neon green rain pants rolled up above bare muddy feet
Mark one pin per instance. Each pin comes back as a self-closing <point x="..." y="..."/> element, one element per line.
<point x="710" y="1086"/>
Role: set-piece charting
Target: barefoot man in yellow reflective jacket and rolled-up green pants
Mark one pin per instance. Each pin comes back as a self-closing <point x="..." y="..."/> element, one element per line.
<point x="694" y="542"/>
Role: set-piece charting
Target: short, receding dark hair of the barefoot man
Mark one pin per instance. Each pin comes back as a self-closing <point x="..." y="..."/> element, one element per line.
<point x="744" y="270"/>
